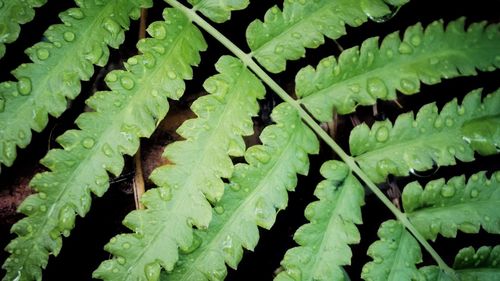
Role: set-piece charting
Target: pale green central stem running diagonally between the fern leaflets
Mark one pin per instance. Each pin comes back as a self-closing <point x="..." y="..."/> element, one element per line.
<point x="248" y="61"/>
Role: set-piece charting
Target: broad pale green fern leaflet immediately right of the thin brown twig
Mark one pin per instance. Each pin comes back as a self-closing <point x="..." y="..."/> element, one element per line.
<point x="201" y="161"/>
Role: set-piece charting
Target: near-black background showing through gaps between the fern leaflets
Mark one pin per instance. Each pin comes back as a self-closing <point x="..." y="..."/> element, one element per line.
<point x="83" y="250"/>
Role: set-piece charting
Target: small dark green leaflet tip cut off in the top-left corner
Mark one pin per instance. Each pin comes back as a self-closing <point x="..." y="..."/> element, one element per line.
<point x="12" y="14"/>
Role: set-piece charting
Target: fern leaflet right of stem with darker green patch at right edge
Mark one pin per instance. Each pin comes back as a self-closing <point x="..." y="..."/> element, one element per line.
<point x="431" y="138"/>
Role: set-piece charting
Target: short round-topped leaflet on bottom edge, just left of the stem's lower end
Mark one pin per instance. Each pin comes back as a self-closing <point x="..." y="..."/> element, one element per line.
<point x="394" y="255"/>
